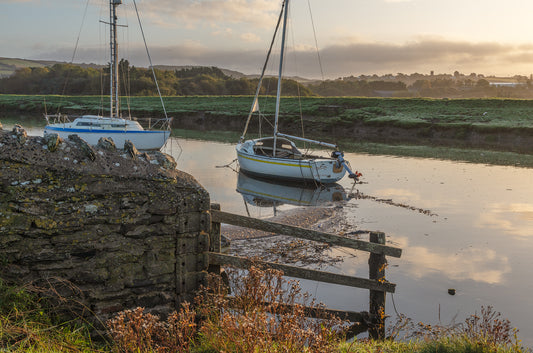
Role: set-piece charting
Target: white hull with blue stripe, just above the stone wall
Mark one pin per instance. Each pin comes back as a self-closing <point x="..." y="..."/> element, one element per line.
<point x="143" y="139"/>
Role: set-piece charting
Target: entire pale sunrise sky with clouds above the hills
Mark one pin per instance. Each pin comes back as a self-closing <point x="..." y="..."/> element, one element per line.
<point x="353" y="37"/>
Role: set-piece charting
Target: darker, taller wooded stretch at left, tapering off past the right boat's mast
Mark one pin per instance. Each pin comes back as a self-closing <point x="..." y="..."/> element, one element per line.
<point x="71" y="79"/>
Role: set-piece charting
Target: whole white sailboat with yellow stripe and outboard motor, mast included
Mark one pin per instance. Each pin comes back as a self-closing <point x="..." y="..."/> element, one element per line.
<point x="277" y="156"/>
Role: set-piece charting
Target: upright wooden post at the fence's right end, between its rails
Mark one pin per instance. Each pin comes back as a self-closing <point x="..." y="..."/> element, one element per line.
<point x="377" y="264"/>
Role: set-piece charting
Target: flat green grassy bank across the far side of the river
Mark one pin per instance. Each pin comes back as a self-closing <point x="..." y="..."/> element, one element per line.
<point x="487" y="113"/>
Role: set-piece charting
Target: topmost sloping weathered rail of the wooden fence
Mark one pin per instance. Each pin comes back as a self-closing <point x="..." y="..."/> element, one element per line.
<point x="248" y="222"/>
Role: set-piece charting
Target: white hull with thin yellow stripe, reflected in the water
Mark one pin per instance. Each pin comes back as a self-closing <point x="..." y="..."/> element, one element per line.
<point x="321" y="170"/>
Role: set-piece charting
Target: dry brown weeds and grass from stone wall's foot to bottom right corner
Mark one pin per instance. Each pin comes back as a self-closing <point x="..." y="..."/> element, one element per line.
<point x="266" y="313"/>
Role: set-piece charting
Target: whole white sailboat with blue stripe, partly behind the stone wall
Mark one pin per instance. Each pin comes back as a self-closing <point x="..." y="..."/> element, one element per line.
<point x="93" y="127"/>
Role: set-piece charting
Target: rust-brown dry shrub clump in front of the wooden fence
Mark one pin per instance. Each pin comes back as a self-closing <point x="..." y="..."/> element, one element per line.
<point x="265" y="314"/>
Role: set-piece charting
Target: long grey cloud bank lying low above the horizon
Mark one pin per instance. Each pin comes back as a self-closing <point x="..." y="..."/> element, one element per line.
<point x="420" y="55"/>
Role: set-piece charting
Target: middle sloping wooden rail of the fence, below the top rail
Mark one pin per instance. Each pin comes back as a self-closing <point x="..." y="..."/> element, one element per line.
<point x="314" y="275"/>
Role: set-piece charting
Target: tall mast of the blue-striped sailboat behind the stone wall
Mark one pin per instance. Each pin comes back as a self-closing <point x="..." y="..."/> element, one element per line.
<point x="113" y="65"/>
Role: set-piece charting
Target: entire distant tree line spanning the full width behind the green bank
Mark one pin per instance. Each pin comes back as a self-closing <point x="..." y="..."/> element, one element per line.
<point x="70" y="79"/>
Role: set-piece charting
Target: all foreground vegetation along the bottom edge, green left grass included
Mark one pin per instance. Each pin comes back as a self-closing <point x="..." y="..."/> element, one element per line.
<point x="244" y="324"/>
